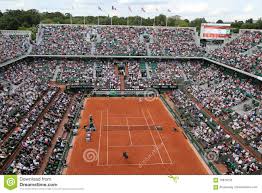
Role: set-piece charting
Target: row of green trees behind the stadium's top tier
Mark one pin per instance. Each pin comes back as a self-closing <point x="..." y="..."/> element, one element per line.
<point x="20" y="19"/>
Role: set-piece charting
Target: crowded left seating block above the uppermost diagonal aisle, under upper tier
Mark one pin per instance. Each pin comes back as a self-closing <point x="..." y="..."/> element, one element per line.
<point x="29" y="79"/>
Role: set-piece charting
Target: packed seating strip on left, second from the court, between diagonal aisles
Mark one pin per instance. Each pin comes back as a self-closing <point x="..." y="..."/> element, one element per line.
<point x="35" y="146"/>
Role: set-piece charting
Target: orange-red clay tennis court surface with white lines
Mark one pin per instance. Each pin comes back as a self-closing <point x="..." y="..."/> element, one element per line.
<point x="150" y="151"/>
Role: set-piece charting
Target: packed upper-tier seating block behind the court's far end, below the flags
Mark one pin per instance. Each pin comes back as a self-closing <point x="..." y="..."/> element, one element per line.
<point x="116" y="40"/>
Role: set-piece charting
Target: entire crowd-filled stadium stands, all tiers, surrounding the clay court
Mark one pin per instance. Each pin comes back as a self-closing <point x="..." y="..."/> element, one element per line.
<point x="34" y="102"/>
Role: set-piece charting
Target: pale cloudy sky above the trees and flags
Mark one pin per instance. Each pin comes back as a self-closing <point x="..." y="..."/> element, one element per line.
<point x="212" y="10"/>
